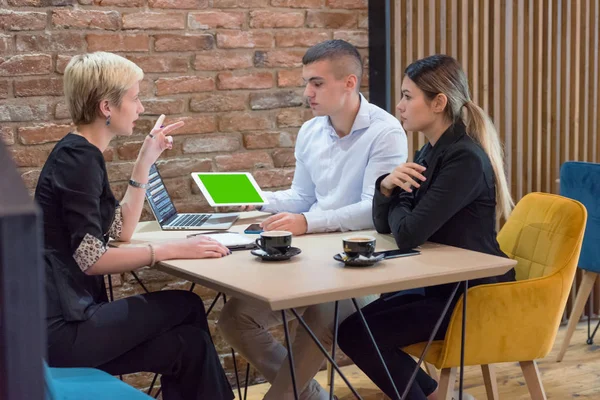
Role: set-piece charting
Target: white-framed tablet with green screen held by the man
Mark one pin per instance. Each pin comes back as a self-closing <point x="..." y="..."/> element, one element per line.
<point x="229" y="188"/>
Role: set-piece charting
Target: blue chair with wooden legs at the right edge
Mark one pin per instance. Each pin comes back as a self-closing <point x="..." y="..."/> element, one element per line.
<point x="581" y="181"/>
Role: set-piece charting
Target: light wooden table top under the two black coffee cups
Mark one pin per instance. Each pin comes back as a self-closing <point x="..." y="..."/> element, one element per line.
<point x="314" y="277"/>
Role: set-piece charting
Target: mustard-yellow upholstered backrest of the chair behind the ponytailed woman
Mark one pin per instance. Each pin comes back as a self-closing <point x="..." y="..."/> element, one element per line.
<point x="542" y="235"/>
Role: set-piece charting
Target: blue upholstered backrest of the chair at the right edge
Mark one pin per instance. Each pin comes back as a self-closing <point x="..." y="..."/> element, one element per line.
<point x="581" y="181"/>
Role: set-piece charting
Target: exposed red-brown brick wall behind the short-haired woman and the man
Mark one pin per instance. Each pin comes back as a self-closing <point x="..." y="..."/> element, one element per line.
<point x="231" y="69"/>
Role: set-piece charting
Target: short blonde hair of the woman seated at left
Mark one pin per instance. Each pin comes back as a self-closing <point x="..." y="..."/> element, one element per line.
<point x="94" y="77"/>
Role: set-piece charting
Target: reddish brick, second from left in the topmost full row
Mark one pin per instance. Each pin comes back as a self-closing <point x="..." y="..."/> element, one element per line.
<point x="86" y="19"/>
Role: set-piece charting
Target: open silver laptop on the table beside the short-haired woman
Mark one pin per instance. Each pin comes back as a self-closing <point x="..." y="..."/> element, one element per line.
<point x="169" y="219"/>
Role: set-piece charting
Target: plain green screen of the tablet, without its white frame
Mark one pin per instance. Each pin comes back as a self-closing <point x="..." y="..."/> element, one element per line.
<point x="230" y="188"/>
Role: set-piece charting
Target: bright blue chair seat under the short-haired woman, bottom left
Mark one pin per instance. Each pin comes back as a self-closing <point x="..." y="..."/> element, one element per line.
<point x="87" y="384"/>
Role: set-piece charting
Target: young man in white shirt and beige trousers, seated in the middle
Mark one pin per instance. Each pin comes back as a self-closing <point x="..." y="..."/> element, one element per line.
<point x="339" y="155"/>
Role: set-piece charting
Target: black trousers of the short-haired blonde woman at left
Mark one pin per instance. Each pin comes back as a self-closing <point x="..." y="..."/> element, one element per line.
<point x="164" y="332"/>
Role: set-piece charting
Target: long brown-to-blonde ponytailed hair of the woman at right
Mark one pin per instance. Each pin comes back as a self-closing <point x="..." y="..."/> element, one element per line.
<point x="442" y="74"/>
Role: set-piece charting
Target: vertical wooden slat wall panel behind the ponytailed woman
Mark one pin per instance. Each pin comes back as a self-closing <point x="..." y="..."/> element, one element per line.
<point x="533" y="65"/>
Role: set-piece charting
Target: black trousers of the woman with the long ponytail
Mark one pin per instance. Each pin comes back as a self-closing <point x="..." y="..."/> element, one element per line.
<point x="395" y="322"/>
